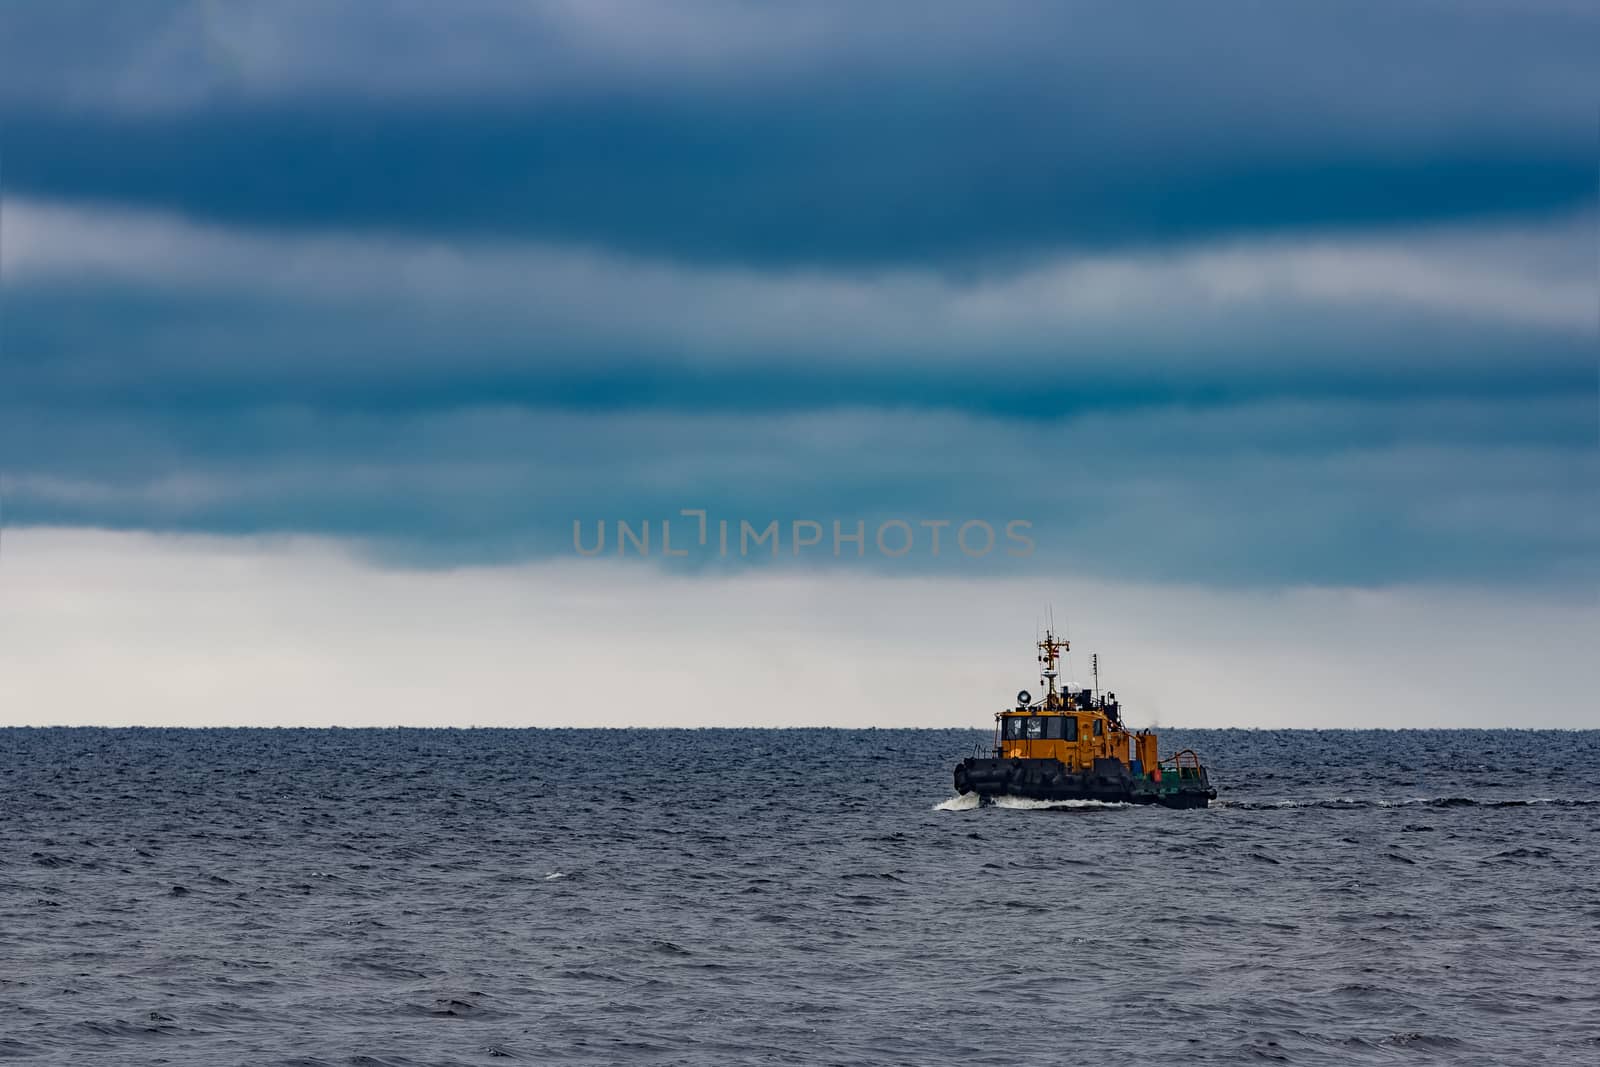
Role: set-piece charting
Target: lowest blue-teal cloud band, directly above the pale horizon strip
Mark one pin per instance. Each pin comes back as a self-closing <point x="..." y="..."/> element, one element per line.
<point x="1258" y="494"/>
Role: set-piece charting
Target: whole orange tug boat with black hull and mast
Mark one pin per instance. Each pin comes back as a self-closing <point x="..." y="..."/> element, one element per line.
<point x="1074" y="746"/>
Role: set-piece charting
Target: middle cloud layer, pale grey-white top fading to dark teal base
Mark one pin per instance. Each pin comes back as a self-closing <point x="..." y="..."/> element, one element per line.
<point x="110" y="310"/>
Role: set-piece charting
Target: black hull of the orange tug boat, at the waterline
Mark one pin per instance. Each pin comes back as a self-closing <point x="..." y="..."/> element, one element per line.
<point x="1108" y="781"/>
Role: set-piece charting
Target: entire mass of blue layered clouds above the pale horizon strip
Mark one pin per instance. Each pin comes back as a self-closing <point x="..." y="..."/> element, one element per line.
<point x="1223" y="294"/>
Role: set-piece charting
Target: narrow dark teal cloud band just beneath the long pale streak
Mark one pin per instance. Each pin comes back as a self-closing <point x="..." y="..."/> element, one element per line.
<point x="230" y="354"/>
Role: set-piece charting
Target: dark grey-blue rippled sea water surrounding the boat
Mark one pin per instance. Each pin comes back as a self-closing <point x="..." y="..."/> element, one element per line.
<point x="801" y="897"/>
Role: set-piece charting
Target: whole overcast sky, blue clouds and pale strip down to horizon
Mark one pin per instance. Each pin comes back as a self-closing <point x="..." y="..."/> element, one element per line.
<point x="1273" y="326"/>
